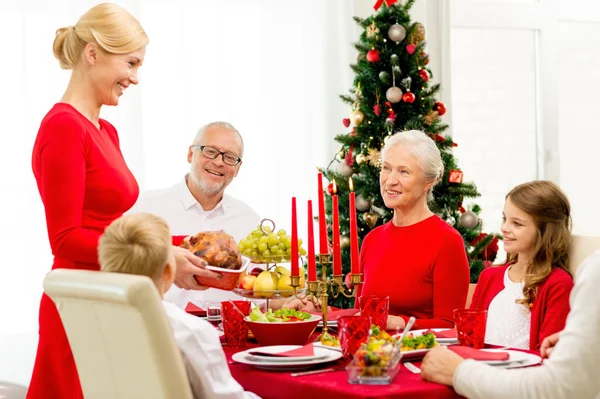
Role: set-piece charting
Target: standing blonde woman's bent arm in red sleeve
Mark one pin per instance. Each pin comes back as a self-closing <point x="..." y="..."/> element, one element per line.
<point x="61" y="180"/>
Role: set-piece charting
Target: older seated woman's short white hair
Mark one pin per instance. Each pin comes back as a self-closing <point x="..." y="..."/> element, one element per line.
<point x="424" y="149"/>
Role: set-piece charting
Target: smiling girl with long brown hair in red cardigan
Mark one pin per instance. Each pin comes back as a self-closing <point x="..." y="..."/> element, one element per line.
<point x="528" y="298"/>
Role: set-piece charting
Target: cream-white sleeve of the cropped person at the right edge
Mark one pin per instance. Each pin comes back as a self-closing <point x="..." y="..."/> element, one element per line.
<point x="572" y="369"/>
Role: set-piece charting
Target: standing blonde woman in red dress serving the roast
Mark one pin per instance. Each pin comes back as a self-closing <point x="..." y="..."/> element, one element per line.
<point x="81" y="175"/>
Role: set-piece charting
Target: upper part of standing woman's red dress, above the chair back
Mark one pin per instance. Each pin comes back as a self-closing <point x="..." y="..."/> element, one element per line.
<point x="83" y="181"/>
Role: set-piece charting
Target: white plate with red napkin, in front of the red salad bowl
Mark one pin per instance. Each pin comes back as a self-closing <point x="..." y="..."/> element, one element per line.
<point x="273" y="364"/>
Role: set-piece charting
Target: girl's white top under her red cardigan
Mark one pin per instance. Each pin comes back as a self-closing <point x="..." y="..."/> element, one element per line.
<point x="508" y="323"/>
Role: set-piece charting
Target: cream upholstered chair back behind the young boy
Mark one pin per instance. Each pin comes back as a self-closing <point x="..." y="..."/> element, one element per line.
<point x="119" y="334"/>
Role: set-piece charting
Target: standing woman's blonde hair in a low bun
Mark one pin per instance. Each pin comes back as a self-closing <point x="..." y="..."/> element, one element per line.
<point x="113" y="29"/>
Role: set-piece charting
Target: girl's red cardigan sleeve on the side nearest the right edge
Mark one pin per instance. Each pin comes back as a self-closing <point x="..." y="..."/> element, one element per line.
<point x="557" y="306"/>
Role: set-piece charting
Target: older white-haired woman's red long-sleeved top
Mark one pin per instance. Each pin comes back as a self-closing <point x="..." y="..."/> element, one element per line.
<point x="423" y="268"/>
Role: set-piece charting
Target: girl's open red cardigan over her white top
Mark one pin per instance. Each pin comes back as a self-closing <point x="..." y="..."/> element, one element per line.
<point x="549" y="309"/>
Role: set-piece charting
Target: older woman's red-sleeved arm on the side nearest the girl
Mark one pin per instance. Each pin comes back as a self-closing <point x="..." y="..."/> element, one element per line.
<point x="450" y="284"/>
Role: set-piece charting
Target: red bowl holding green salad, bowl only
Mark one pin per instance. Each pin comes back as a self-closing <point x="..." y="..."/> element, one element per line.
<point x="283" y="333"/>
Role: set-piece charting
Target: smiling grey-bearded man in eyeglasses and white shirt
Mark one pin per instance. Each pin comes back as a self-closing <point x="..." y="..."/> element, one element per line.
<point x="199" y="203"/>
